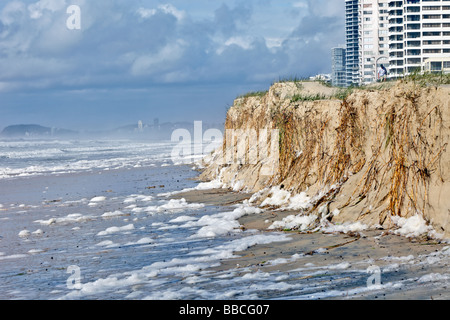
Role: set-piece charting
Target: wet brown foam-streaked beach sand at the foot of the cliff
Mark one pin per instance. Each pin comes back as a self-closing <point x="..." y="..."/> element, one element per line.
<point x="409" y="268"/>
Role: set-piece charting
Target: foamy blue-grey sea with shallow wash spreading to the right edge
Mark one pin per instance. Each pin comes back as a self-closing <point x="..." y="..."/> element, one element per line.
<point x="93" y="219"/>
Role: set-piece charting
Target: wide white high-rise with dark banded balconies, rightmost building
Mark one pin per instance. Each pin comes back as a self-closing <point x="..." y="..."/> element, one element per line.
<point x="419" y="31"/>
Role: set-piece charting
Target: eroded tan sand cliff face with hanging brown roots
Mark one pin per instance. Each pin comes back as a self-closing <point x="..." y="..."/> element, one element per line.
<point x="374" y="156"/>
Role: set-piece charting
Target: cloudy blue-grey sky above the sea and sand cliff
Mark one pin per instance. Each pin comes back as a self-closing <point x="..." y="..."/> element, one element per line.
<point x="115" y="62"/>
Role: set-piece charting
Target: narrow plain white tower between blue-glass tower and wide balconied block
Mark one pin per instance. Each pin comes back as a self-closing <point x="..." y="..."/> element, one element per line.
<point x="373" y="39"/>
